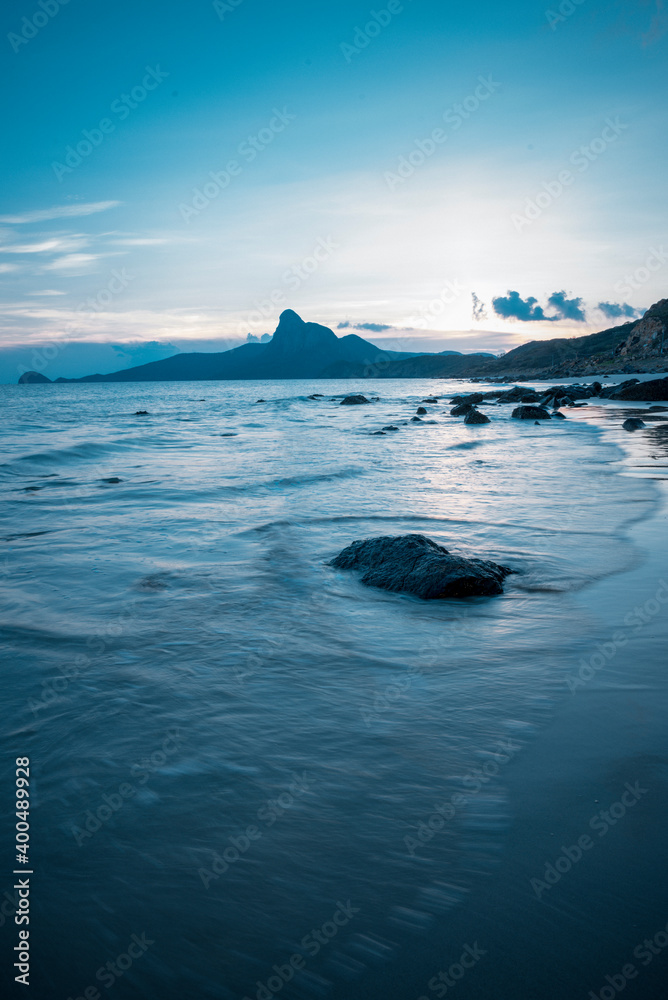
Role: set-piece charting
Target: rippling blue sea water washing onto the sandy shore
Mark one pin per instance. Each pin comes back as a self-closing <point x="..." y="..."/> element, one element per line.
<point x="241" y="754"/>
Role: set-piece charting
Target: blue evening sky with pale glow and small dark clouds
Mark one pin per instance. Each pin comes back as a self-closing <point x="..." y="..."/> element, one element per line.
<point x="434" y="175"/>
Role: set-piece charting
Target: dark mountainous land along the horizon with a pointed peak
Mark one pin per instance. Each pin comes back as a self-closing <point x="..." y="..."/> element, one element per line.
<point x="300" y="350"/>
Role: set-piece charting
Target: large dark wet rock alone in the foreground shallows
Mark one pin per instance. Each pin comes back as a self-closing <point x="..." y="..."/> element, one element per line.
<point x="413" y="564"/>
